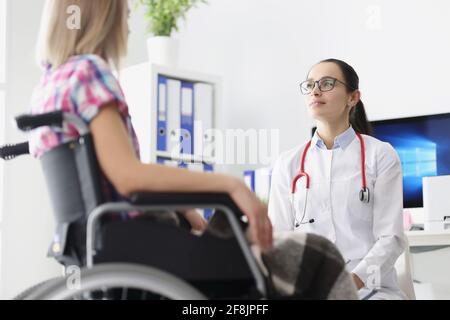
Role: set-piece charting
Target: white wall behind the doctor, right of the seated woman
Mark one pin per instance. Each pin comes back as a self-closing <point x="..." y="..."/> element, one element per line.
<point x="264" y="48"/>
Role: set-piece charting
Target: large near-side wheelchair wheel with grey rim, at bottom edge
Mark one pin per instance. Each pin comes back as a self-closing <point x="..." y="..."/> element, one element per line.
<point x="110" y="277"/>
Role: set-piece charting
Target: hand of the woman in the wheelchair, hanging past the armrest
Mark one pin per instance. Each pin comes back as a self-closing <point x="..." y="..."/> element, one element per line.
<point x="260" y="226"/>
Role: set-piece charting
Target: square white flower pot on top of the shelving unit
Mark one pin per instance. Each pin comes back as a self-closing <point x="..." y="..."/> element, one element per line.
<point x="163" y="50"/>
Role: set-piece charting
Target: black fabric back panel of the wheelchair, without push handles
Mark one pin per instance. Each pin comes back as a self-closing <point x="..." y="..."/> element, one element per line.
<point x="72" y="177"/>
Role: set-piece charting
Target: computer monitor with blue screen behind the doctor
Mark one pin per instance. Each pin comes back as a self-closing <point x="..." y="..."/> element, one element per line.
<point x="423" y="145"/>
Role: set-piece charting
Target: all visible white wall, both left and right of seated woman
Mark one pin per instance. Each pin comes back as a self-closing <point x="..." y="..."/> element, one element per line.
<point x="262" y="49"/>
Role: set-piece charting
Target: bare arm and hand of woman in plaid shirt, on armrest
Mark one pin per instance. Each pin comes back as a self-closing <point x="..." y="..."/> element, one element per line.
<point x="120" y="165"/>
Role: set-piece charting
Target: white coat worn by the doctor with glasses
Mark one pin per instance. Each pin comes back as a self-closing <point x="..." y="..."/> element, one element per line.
<point x="369" y="235"/>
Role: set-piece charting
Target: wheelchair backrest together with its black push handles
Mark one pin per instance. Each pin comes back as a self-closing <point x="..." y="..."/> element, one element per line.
<point x="72" y="177"/>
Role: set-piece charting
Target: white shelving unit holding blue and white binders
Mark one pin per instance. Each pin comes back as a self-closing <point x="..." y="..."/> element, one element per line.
<point x="141" y="85"/>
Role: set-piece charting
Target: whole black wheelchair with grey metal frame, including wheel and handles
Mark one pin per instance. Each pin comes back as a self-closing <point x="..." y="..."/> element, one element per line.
<point x="127" y="258"/>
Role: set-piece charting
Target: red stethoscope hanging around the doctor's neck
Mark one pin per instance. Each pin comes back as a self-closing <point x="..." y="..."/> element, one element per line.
<point x="364" y="195"/>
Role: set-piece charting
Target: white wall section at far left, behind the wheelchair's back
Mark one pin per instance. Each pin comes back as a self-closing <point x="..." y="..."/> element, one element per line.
<point x="27" y="221"/>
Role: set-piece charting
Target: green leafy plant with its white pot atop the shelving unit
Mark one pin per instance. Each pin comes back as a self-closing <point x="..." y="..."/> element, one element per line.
<point x="162" y="17"/>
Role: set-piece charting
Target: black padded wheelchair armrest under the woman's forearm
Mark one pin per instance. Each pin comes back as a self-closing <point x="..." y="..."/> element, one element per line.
<point x="186" y="198"/>
